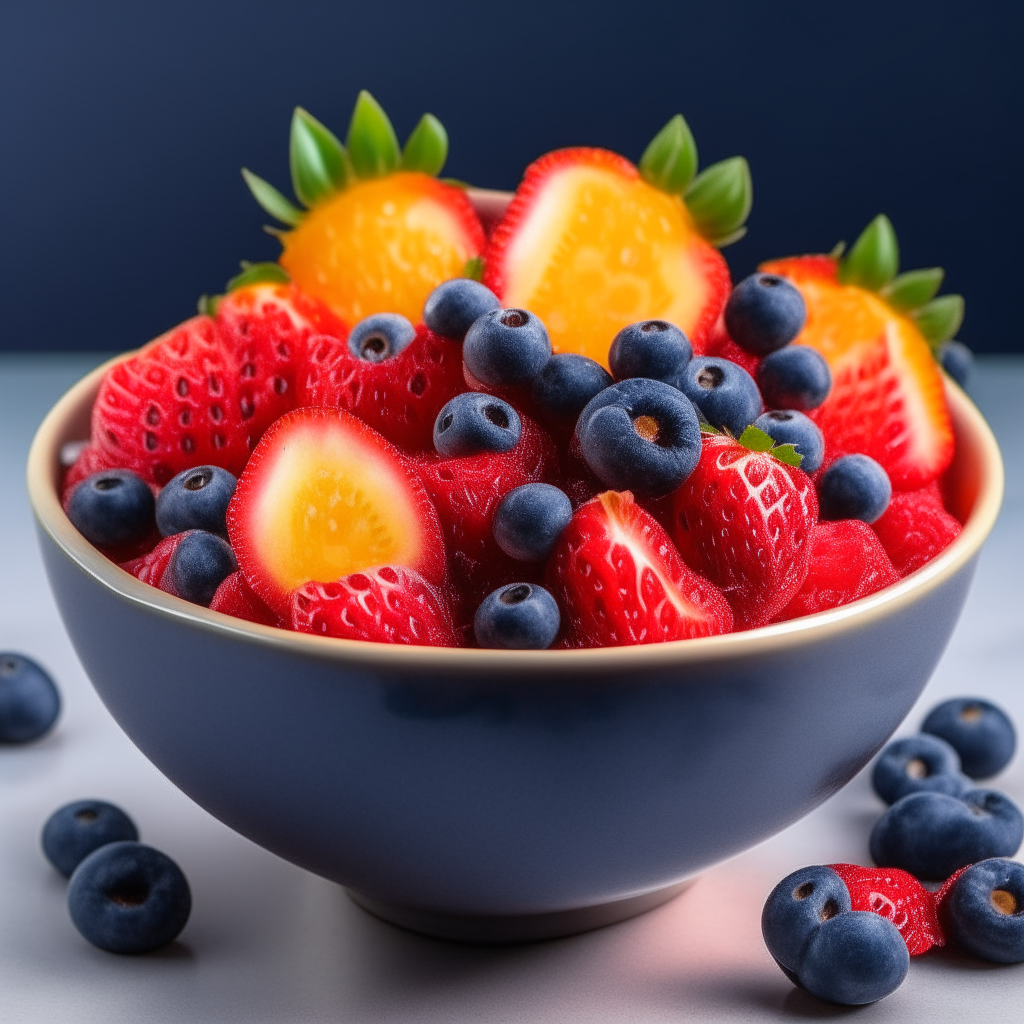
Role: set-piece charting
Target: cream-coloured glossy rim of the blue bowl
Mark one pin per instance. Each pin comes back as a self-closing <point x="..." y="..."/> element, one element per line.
<point x="44" y="477"/>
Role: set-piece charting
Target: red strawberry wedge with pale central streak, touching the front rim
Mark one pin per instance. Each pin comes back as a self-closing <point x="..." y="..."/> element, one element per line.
<point x="620" y="581"/>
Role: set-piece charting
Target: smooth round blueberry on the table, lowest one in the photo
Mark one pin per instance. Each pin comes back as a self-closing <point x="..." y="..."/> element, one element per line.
<point x="855" y="959"/>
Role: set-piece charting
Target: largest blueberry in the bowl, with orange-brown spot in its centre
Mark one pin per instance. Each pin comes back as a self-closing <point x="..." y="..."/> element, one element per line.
<point x="641" y="436"/>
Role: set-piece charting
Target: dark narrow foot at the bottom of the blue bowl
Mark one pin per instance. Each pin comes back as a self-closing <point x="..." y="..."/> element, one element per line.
<point x="486" y="930"/>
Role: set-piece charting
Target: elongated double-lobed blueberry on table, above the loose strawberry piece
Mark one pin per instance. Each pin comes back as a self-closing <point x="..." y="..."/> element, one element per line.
<point x="932" y="835"/>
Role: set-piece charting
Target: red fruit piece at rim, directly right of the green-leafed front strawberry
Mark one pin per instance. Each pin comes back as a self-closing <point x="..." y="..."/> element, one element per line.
<point x="847" y="564"/>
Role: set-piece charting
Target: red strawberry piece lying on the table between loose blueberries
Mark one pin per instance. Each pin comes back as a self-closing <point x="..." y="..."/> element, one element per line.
<point x="899" y="898"/>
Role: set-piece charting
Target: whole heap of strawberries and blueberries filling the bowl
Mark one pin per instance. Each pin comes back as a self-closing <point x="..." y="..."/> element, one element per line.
<point x="568" y="431"/>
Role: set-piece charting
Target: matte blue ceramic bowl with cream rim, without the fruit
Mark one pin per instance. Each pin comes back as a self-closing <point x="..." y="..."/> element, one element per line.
<point x="498" y="796"/>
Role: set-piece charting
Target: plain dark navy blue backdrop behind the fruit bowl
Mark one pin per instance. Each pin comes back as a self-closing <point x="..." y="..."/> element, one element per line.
<point x="123" y="127"/>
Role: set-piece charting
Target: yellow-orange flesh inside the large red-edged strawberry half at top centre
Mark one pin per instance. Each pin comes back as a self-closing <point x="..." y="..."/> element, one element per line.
<point x="599" y="252"/>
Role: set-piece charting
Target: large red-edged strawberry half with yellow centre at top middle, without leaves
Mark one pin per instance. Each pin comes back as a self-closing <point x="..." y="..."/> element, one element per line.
<point x="589" y="247"/>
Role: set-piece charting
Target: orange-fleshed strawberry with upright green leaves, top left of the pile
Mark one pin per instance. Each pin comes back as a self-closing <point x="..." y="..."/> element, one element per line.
<point x="380" y="232"/>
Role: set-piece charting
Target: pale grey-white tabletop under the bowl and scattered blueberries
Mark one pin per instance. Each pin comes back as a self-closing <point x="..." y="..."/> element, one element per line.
<point x="269" y="943"/>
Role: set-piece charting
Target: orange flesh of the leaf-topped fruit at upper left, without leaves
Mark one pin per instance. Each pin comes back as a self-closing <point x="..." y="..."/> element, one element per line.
<point x="380" y="246"/>
